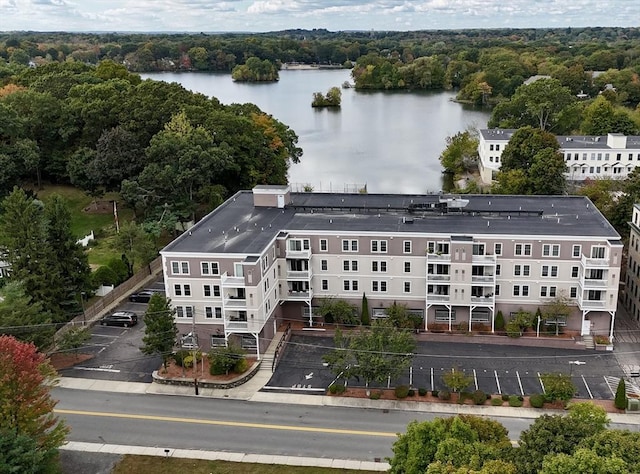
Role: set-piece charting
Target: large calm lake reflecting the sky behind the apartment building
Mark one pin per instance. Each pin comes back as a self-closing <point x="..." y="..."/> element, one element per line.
<point x="389" y="141"/>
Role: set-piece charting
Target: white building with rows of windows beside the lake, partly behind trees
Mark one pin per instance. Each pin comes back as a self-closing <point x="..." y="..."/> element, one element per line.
<point x="611" y="156"/>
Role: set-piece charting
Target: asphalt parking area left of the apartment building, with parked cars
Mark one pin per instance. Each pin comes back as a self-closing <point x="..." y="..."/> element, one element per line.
<point x="116" y="351"/>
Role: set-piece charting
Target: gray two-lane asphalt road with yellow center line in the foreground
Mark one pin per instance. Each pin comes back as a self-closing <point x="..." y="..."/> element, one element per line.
<point x="229" y="425"/>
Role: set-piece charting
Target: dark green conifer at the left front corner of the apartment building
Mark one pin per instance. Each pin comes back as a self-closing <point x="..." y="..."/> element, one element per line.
<point x="160" y="330"/>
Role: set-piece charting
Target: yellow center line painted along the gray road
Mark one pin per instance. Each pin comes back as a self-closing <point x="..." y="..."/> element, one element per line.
<point x="236" y="424"/>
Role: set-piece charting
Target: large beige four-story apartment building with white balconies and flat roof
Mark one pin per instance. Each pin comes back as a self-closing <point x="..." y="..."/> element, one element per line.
<point x="269" y="255"/>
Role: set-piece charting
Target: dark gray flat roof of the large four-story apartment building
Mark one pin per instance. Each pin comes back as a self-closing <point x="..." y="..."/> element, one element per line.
<point x="237" y="226"/>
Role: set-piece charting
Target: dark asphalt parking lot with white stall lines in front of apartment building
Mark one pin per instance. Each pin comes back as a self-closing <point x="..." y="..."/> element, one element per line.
<point x="496" y="369"/>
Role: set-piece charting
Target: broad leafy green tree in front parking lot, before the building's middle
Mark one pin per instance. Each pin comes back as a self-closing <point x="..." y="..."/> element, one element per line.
<point x="372" y="354"/>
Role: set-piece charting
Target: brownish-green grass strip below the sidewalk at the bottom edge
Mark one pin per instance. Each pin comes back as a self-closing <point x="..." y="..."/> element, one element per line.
<point x="159" y="465"/>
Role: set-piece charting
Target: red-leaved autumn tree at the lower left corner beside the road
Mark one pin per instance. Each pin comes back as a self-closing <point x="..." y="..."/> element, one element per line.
<point x="26" y="406"/>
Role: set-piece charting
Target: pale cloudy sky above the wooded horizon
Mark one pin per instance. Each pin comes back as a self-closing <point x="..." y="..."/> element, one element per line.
<point x="334" y="15"/>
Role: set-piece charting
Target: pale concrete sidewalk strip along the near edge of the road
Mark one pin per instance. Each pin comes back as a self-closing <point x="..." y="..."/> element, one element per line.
<point x="226" y="456"/>
